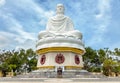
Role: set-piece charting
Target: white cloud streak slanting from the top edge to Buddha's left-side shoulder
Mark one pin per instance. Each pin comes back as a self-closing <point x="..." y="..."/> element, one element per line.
<point x="31" y="6"/>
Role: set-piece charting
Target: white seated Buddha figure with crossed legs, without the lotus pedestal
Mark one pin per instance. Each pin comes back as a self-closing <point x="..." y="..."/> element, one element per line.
<point x="60" y="25"/>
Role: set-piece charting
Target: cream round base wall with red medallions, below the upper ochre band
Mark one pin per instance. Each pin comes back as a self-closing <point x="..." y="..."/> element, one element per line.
<point x="65" y="60"/>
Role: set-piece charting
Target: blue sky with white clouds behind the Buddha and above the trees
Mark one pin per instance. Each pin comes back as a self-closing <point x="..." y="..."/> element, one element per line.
<point x="22" y="20"/>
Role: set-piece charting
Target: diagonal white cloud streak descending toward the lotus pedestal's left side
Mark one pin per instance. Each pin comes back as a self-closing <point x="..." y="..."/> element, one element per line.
<point x="17" y="28"/>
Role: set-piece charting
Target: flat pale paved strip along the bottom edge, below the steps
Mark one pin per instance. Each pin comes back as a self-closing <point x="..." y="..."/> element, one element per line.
<point x="60" y="80"/>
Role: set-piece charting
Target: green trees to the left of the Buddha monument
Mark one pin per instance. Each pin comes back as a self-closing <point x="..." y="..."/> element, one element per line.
<point x="18" y="61"/>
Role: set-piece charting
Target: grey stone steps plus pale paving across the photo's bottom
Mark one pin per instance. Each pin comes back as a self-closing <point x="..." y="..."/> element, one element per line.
<point x="67" y="77"/>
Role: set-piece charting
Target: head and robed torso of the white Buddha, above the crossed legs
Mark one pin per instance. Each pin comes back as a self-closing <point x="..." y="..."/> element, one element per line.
<point x="60" y="23"/>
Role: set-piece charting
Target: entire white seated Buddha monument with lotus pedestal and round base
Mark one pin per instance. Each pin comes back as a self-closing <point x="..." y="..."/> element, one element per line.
<point x="60" y="45"/>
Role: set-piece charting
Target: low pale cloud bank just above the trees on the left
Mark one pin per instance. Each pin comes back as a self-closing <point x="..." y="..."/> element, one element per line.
<point x="11" y="40"/>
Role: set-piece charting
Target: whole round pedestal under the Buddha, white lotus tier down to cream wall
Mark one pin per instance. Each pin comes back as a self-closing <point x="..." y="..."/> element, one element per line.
<point x="60" y="51"/>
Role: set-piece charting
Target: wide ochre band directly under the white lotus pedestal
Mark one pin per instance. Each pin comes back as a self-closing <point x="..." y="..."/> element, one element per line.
<point x="60" y="49"/>
